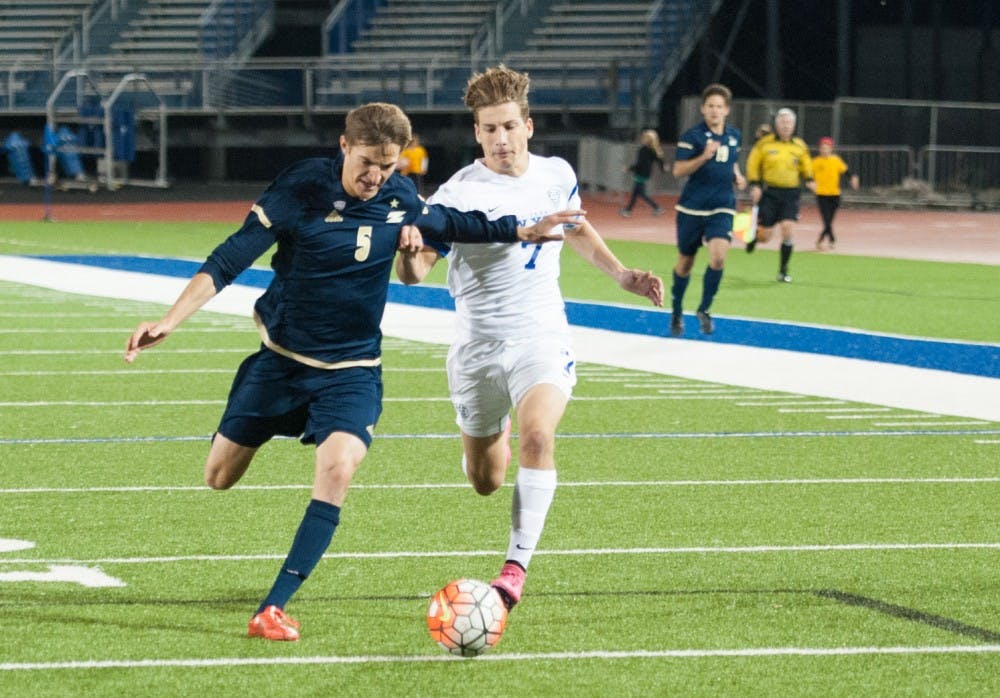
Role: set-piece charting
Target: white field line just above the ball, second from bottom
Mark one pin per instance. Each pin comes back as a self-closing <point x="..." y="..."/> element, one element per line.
<point x="570" y="552"/>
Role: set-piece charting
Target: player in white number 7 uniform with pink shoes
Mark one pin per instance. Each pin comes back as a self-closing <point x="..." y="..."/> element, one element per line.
<point x="509" y="351"/>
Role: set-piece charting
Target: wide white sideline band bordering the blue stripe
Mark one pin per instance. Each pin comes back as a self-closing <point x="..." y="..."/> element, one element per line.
<point x="857" y="380"/>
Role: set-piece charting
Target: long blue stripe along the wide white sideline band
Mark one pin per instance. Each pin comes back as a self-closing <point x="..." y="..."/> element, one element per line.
<point x="977" y="359"/>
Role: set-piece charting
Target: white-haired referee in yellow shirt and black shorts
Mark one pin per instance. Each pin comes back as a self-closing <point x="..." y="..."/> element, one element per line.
<point x="777" y="167"/>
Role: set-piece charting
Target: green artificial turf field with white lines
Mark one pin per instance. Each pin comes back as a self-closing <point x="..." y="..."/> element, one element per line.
<point x="705" y="539"/>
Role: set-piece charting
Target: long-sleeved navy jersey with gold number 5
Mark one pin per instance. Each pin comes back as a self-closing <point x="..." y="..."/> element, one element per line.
<point x="334" y="257"/>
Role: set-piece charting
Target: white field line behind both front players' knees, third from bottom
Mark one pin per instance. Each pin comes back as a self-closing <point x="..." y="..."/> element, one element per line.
<point x="570" y="484"/>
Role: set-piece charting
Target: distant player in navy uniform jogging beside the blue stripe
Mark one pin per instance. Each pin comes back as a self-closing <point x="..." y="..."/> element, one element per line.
<point x="708" y="155"/>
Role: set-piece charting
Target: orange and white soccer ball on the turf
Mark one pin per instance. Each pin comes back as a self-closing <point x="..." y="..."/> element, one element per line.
<point x="466" y="617"/>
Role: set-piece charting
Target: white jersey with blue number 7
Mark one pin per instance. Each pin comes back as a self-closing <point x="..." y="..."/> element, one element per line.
<point x="506" y="291"/>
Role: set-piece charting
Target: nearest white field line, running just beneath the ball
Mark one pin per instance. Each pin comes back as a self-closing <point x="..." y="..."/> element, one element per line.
<point x="499" y="657"/>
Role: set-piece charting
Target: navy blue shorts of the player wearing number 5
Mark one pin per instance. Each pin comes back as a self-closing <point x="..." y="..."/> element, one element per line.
<point x="273" y="395"/>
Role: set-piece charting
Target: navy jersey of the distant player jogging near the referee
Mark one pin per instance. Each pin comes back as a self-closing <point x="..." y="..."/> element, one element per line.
<point x="709" y="189"/>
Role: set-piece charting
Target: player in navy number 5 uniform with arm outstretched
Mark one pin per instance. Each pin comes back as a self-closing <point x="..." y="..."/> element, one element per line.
<point x="337" y="223"/>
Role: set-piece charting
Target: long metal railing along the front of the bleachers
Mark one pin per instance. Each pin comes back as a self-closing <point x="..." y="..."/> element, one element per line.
<point x="328" y="84"/>
